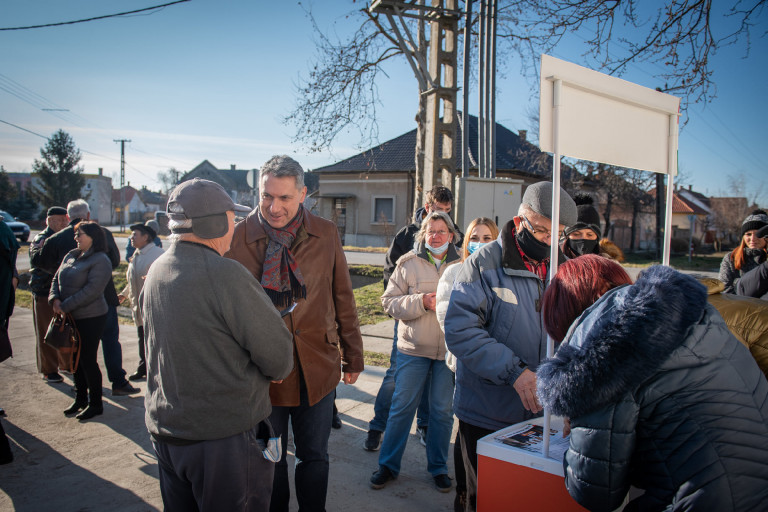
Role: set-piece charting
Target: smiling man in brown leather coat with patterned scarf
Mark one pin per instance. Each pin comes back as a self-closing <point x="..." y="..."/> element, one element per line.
<point x="298" y="259"/>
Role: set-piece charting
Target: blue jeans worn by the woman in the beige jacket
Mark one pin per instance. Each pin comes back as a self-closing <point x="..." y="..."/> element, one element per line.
<point x="412" y="375"/>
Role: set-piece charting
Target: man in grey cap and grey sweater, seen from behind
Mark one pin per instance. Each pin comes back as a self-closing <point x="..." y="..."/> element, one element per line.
<point x="214" y="343"/>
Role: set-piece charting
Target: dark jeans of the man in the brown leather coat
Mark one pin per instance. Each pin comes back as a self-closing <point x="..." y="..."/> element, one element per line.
<point x="311" y="428"/>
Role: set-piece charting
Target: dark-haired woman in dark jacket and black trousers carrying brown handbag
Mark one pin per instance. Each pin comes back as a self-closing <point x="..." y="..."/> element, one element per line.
<point x="78" y="289"/>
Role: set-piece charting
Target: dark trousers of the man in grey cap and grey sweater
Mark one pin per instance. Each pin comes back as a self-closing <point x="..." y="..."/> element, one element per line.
<point x="223" y="474"/>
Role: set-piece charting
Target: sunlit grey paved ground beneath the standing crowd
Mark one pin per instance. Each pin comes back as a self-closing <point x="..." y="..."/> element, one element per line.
<point x="108" y="463"/>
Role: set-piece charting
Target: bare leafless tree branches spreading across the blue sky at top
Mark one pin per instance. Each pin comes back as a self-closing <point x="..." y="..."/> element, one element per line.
<point x="679" y="37"/>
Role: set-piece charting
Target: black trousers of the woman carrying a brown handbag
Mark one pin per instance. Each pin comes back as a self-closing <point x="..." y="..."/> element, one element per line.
<point x="88" y="375"/>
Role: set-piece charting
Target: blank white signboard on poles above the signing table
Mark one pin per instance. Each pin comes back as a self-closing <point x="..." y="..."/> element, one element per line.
<point x="607" y="119"/>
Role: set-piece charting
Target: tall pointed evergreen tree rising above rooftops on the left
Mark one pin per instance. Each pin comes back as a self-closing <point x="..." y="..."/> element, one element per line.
<point x="60" y="179"/>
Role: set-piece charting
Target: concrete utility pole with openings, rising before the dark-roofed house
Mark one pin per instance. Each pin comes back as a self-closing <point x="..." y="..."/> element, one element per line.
<point x="437" y="81"/>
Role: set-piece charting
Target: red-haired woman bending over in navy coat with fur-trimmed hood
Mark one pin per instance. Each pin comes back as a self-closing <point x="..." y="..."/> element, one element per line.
<point x="659" y="393"/>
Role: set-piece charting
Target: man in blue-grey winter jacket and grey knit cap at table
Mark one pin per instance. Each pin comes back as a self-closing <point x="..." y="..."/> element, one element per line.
<point x="493" y="324"/>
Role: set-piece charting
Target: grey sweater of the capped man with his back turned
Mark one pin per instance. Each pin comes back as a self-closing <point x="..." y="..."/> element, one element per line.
<point x="214" y="343"/>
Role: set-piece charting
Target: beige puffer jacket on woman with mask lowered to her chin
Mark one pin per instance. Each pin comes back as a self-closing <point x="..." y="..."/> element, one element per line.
<point x="418" y="334"/>
